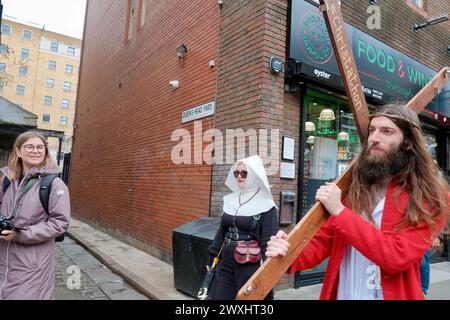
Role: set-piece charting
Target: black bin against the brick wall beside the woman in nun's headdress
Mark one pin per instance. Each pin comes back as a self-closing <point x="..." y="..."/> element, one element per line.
<point x="190" y="243"/>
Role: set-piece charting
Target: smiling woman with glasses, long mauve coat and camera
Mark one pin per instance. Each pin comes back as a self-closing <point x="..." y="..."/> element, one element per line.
<point x="27" y="240"/>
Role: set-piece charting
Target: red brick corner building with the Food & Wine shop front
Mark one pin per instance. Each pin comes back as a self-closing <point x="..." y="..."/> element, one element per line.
<point x="129" y="120"/>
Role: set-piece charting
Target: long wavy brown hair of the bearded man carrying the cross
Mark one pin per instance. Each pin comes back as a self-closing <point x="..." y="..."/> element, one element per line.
<point x="420" y="176"/>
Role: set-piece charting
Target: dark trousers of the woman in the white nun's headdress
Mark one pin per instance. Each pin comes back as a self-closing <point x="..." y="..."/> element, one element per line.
<point x="231" y="276"/>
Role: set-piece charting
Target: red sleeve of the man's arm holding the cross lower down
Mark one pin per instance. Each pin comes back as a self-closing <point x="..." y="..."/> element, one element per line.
<point x="317" y="249"/>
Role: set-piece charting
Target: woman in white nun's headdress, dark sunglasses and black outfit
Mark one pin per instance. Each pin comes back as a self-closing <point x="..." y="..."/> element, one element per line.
<point x="249" y="213"/>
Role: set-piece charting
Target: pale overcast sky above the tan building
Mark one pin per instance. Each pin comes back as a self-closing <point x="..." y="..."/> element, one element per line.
<point x="61" y="16"/>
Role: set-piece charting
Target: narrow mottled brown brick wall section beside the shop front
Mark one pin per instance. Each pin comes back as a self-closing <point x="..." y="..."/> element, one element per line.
<point x="248" y="95"/>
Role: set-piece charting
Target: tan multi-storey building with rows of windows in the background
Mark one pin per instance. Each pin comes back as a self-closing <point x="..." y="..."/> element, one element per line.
<point x="39" y="72"/>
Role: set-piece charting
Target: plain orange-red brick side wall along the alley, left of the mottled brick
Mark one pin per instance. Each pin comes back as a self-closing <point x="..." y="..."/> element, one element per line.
<point x="122" y="177"/>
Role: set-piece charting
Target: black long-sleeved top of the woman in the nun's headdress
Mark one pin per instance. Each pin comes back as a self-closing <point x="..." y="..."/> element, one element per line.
<point x="266" y="227"/>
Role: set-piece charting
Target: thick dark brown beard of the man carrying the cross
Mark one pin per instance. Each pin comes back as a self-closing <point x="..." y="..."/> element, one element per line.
<point x="374" y="168"/>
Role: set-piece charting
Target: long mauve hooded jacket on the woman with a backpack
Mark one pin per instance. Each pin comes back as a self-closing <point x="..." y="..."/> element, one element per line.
<point x="27" y="262"/>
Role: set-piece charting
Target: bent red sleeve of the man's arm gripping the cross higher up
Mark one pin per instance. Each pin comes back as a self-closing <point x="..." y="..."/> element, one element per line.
<point x="393" y="251"/>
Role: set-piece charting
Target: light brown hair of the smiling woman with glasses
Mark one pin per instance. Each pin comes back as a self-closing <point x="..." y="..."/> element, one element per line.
<point x="15" y="164"/>
